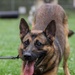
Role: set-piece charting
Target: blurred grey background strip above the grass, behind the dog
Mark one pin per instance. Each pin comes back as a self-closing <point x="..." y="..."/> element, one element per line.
<point x="15" y="8"/>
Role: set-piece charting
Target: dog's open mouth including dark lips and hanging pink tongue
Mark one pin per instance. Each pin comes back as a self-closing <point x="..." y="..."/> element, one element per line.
<point x="31" y="64"/>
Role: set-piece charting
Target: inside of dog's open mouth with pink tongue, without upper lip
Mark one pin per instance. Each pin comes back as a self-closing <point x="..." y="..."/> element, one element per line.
<point x="30" y="66"/>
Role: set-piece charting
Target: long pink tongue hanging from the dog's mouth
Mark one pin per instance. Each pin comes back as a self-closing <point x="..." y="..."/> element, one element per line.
<point x="29" y="68"/>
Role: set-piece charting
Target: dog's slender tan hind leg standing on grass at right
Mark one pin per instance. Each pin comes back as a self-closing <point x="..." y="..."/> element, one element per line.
<point x="66" y="56"/>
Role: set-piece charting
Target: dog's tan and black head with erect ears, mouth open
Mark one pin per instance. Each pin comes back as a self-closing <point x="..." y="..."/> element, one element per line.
<point x="35" y="44"/>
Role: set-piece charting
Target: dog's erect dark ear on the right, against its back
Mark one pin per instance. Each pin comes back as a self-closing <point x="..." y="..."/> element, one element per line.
<point x="50" y="31"/>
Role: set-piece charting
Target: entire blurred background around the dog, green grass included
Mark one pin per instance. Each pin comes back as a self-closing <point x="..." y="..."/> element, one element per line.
<point x="11" y="11"/>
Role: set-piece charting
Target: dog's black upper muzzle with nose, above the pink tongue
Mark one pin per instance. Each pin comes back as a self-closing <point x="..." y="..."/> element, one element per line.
<point x="32" y="56"/>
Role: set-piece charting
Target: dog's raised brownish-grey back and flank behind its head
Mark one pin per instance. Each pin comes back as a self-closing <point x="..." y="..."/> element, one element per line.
<point x="48" y="12"/>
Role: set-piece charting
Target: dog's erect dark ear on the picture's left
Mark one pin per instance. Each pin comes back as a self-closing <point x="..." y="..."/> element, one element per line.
<point x="24" y="28"/>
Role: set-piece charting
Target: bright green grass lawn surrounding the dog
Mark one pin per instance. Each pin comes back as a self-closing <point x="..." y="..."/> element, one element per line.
<point x="9" y="43"/>
